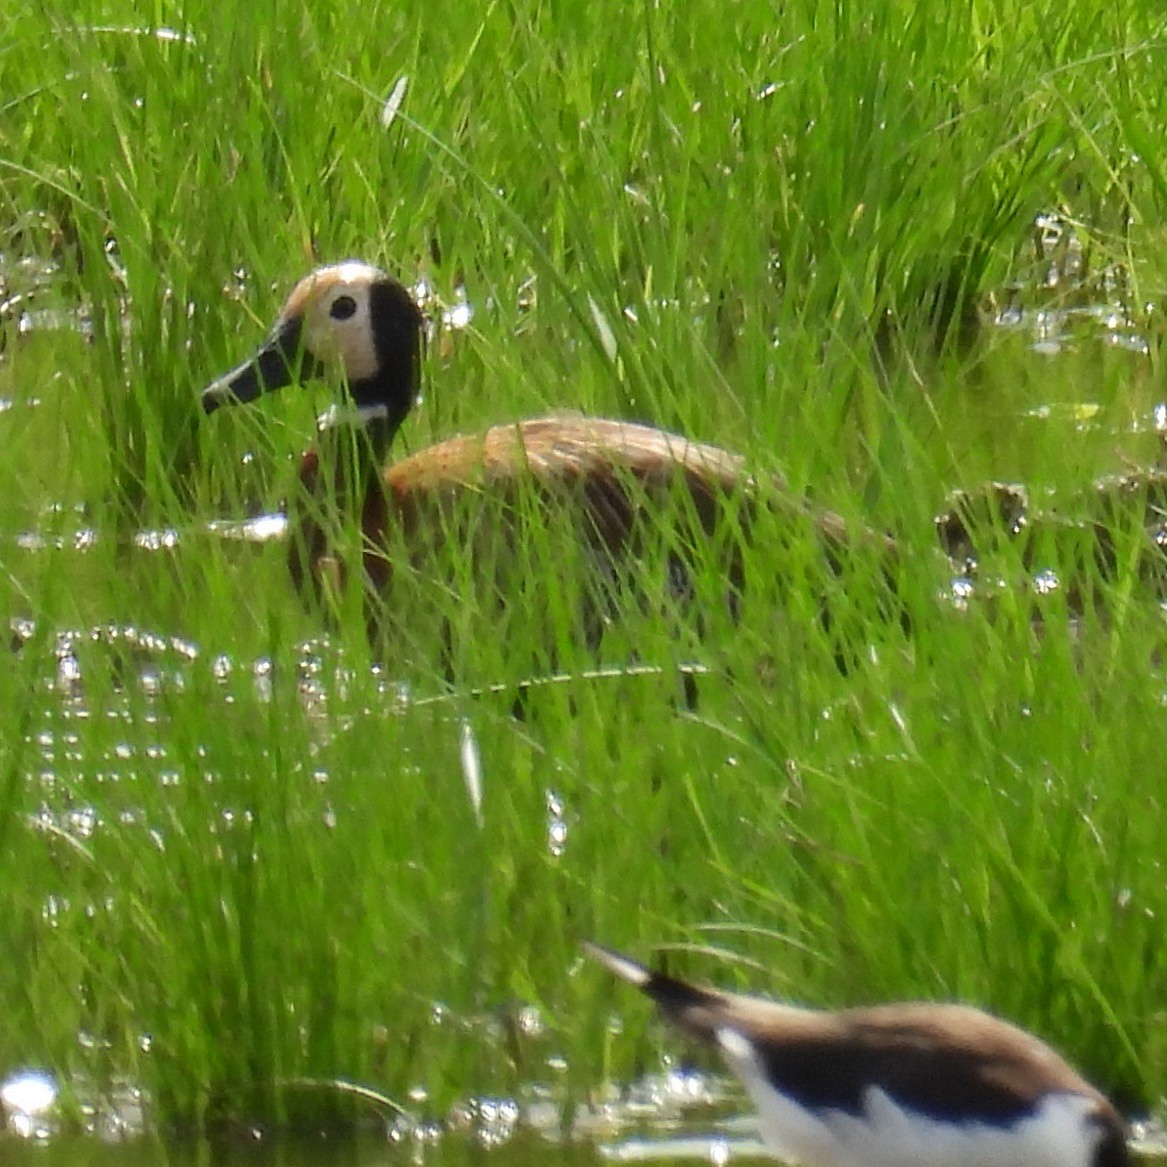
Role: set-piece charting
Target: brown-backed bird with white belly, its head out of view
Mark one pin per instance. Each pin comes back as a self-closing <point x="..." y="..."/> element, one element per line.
<point x="895" y="1085"/>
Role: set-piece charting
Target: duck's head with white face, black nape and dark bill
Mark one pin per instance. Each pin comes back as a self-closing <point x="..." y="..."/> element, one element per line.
<point x="351" y="319"/>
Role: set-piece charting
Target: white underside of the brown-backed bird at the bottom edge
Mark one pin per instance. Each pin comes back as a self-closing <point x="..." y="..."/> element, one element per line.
<point x="885" y="1135"/>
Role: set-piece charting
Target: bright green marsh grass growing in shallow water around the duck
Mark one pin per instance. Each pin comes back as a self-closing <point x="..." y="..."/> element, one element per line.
<point x="764" y="229"/>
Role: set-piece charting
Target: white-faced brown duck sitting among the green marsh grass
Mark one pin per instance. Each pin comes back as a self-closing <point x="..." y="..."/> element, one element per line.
<point x="357" y="324"/>
